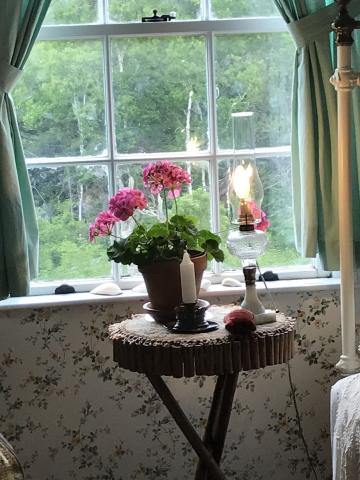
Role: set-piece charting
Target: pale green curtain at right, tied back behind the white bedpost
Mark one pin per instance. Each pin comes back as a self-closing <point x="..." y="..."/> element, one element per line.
<point x="314" y="129"/>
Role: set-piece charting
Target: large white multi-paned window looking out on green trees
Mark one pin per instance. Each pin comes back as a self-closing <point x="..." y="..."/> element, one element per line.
<point x="103" y="94"/>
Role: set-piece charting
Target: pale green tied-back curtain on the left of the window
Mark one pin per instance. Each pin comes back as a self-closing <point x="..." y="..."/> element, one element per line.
<point x="20" y="21"/>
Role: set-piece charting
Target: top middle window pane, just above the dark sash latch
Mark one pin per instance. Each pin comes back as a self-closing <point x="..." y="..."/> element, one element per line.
<point x="134" y="10"/>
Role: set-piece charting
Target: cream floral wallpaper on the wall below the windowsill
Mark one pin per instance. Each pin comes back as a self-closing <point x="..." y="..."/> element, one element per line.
<point x="71" y="413"/>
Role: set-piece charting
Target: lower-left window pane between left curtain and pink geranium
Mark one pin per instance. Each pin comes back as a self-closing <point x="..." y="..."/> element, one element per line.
<point x="67" y="200"/>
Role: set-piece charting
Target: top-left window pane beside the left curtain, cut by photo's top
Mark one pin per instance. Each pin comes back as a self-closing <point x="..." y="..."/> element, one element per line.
<point x="63" y="12"/>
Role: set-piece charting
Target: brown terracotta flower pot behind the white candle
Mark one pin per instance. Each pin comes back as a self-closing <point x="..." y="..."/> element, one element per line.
<point x="162" y="280"/>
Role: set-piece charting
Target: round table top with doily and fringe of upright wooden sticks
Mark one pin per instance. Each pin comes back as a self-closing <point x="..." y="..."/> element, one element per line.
<point x="145" y="346"/>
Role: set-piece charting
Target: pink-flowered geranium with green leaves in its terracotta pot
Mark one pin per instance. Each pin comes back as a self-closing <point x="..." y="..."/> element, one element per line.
<point x="157" y="249"/>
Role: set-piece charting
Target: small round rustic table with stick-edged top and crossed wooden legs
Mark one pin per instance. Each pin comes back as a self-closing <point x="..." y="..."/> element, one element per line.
<point x="144" y="346"/>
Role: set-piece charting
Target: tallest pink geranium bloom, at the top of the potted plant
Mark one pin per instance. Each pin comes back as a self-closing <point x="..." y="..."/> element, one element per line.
<point x="162" y="175"/>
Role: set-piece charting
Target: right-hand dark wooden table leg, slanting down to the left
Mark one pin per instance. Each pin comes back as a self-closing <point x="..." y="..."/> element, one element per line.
<point x="218" y="421"/>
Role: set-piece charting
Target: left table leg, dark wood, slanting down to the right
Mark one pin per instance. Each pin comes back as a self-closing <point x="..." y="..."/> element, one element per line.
<point x="188" y="430"/>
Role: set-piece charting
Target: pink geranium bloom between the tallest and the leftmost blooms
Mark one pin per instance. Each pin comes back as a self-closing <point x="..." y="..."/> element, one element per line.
<point x="126" y="201"/>
